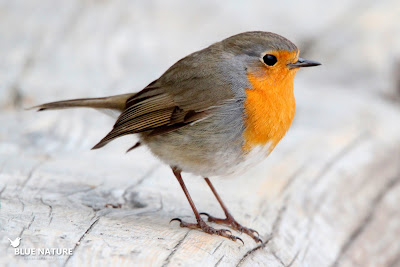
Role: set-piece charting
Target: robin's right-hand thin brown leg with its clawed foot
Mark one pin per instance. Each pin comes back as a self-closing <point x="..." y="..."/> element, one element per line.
<point x="229" y="220"/>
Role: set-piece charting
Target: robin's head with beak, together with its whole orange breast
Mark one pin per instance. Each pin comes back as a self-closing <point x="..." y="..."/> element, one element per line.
<point x="261" y="66"/>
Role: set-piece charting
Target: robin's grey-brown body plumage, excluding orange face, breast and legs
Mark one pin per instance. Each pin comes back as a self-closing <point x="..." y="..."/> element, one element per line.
<point x="193" y="115"/>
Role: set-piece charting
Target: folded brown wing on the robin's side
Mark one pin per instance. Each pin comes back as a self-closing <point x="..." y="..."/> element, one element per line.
<point x="183" y="94"/>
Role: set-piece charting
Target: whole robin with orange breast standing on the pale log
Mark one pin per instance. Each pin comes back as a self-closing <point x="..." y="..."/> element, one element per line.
<point x="215" y="112"/>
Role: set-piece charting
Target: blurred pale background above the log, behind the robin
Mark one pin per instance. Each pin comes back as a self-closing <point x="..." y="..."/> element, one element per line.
<point x="85" y="48"/>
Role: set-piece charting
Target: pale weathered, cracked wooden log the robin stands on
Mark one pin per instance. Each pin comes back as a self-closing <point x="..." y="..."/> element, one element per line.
<point x="327" y="196"/>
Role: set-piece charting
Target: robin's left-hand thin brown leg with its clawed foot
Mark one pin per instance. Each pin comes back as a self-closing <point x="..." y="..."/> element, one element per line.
<point x="201" y="224"/>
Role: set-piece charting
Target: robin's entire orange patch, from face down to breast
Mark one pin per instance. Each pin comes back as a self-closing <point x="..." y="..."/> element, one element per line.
<point x="270" y="104"/>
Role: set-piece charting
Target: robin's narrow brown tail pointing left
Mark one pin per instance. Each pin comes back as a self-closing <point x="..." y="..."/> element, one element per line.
<point x="117" y="102"/>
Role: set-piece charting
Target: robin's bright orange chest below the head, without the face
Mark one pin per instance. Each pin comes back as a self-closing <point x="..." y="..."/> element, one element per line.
<point x="268" y="116"/>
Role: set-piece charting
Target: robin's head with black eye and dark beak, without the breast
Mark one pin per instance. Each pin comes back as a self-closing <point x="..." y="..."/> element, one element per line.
<point x="264" y="56"/>
